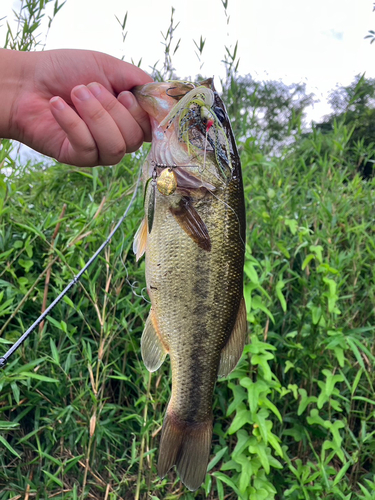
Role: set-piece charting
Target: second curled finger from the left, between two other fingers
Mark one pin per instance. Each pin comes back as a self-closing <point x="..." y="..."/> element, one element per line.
<point x="101" y="121"/>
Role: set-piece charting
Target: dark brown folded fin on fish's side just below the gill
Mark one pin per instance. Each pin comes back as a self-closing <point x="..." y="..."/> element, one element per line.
<point x="191" y="222"/>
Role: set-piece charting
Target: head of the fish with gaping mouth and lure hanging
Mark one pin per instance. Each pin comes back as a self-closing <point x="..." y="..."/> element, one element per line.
<point x="190" y="126"/>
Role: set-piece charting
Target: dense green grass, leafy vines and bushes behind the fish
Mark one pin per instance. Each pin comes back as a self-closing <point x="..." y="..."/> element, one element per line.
<point x="80" y="416"/>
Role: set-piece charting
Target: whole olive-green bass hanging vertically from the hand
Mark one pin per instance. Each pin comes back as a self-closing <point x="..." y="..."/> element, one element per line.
<point x="193" y="237"/>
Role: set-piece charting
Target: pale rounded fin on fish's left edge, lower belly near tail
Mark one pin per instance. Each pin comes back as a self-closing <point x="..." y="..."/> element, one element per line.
<point x="152" y="347"/>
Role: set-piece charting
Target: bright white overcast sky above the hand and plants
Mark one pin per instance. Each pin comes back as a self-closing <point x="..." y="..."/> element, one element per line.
<point x="319" y="42"/>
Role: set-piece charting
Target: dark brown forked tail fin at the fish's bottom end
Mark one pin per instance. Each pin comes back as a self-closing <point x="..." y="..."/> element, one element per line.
<point x="186" y="445"/>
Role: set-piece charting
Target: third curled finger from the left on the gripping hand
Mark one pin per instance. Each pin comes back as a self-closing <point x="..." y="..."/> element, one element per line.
<point x="130" y="130"/>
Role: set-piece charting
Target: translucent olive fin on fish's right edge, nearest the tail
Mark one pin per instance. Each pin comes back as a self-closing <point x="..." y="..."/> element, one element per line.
<point x="233" y="349"/>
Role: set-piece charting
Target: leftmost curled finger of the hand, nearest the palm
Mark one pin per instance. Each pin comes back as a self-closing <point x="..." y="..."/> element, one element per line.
<point x="78" y="148"/>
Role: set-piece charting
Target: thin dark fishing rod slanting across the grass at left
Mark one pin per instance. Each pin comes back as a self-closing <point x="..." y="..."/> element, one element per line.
<point x="21" y="340"/>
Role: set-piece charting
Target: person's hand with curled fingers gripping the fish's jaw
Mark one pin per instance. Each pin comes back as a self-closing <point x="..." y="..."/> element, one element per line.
<point x="74" y="105"/>
